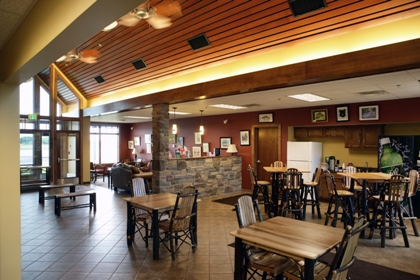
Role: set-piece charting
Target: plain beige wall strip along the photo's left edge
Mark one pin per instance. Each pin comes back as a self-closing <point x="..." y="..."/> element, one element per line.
<point x="10" y="250"/>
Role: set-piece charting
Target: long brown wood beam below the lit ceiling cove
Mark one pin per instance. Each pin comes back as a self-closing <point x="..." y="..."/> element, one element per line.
<point x="379" y="60"/>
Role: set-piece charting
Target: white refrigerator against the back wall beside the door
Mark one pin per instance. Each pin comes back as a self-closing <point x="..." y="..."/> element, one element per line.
<point x="305" y="156"/>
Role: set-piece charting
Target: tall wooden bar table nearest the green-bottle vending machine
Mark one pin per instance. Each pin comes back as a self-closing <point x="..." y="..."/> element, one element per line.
<point x="364" y="177"/>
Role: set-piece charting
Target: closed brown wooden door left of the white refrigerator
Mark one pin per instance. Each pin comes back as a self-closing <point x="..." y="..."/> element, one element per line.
<point x="266" y="148"/>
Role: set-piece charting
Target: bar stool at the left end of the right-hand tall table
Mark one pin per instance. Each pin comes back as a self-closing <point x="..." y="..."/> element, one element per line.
<point x="340" y="202"/>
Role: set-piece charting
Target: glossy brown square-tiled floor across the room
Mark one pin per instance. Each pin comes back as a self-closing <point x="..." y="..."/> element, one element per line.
<point x="84" y="245"/>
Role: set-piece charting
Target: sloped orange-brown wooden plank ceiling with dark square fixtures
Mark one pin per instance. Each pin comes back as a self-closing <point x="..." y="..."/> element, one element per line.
<point x="234" y="29"/>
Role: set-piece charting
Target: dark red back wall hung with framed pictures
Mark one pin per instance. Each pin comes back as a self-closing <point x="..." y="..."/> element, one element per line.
<point x="395" y="111"/>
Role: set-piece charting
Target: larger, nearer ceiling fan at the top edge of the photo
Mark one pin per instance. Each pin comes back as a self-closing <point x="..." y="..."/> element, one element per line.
<point x="158" y="16"/>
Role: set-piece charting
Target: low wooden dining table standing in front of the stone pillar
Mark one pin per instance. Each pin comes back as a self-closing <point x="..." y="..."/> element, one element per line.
<point x="153" y="204"/>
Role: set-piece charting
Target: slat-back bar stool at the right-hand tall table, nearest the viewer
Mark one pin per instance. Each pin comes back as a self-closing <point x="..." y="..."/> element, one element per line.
<point x="388" y="207"/>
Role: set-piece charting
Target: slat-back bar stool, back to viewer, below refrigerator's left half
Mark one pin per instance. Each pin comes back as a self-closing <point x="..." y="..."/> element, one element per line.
<point x="291" y="193"/>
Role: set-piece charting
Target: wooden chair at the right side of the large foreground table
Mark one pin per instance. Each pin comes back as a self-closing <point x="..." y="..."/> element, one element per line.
<point x="344" y="257"/>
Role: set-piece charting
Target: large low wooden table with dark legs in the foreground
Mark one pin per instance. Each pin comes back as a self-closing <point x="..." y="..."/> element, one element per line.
<point x="299" y="240"/>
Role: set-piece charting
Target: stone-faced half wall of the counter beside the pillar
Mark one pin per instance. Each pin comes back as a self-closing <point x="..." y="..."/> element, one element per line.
<point x="212" y="176"/>
